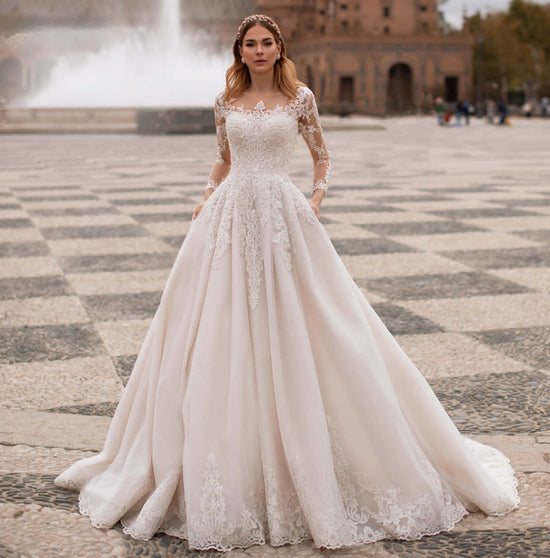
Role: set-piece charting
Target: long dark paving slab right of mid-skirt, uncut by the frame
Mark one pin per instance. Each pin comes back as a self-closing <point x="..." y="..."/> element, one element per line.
<point x="465" y="284"/>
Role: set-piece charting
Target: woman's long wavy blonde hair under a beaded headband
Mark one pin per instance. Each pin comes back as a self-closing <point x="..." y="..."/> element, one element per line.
<point x="237" y="77"/>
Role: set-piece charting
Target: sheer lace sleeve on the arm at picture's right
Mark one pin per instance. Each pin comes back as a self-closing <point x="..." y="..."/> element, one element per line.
<point x="309" y="125"/>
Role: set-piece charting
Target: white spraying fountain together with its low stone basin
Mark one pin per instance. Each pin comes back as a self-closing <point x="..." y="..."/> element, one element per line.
<point x="148" y="72"/>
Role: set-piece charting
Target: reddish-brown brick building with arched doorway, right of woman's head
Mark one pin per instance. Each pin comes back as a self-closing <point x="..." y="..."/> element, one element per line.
<point x="374" y="56"/>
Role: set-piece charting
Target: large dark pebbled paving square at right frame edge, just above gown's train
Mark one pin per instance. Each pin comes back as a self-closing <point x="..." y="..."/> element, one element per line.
<point x="511" y="403"/>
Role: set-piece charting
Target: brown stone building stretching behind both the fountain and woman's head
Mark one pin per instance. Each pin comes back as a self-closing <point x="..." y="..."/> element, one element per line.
<point x="368" y="56"/>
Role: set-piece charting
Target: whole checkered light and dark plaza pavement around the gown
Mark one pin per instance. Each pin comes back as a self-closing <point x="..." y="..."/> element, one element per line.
<point x="447" y="231"/>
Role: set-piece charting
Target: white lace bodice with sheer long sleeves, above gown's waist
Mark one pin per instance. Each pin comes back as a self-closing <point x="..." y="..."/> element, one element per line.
<point x="261" y="141"/>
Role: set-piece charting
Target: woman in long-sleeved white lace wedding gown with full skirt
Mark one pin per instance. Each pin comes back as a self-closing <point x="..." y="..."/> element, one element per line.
<point x="269" y="403"/>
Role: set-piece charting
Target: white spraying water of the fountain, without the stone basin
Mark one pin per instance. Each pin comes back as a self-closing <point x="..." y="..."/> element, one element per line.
<point x="157" y="67"/>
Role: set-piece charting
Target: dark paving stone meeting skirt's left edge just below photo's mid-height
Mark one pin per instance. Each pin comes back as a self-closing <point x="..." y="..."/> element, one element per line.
<point x="122" y="306"/>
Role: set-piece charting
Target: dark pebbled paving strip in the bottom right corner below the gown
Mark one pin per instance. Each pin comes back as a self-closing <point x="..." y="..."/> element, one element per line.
<point x="533" y="542"/>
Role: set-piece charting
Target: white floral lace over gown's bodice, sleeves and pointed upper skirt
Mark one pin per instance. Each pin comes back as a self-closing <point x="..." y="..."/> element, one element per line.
<point x="258" y="189"/>
